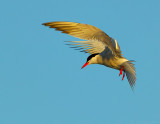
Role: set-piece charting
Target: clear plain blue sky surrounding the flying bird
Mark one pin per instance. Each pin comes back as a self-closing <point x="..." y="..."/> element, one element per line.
<point x="41" y="81"/>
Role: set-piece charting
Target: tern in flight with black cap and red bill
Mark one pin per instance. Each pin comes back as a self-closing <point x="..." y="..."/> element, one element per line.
<point x="103" y="49"/>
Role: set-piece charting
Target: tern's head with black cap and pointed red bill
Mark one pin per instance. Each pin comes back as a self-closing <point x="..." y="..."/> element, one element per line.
<point x="92" y="59"/>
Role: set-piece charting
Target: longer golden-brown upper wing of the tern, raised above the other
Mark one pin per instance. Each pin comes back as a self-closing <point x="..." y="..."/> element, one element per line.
<point x="86" y="32"/>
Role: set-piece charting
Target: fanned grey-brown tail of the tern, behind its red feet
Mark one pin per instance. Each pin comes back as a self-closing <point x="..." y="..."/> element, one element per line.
<point x="130" y="73"/>
